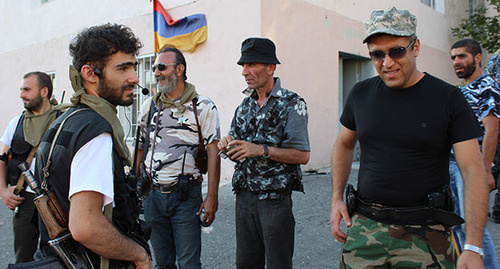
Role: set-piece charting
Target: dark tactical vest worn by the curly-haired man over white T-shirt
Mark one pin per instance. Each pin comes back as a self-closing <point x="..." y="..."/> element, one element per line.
<point x="82" y="127"/>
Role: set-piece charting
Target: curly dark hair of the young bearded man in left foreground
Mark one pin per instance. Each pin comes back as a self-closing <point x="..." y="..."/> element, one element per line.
<point x="96" y="44"/>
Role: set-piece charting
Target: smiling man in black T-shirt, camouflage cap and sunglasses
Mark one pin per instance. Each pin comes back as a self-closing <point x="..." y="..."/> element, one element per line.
<point x="406" y="122"/>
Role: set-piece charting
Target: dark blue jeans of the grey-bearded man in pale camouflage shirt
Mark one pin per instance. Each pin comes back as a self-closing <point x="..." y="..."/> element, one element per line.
<point x="176" y="230"/>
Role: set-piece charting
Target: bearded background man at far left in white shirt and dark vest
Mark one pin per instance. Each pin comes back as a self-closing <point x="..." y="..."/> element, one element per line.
<point x="20" y="141"/>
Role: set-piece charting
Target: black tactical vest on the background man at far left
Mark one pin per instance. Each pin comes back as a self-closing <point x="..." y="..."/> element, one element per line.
<point x="20" y="150"/>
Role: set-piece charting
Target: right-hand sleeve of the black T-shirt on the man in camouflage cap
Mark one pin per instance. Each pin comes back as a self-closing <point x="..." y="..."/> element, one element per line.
<point x="463" y="123"/>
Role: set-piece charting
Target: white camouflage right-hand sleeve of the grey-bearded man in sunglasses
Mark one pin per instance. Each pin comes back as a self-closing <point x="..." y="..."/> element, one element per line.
<point x="209" y="122"/>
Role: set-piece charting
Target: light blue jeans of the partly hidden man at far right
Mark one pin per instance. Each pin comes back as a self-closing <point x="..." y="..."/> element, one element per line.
<point x="457" y="187"/>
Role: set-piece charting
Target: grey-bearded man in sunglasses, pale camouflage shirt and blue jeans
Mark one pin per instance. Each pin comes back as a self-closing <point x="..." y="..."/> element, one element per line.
<point x="174" y="205"/>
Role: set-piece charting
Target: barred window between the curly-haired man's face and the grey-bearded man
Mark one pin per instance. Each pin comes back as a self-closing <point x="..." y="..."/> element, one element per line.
<point x="129" y="116"/>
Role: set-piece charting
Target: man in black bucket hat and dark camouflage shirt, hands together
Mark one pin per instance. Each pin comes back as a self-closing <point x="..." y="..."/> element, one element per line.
<point x="268" y="141"/>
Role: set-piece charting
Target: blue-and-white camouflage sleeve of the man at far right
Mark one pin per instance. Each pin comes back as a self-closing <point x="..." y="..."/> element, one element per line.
<point x="489" y="100"/>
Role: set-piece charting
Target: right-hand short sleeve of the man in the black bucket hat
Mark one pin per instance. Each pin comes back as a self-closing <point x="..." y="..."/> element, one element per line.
<point x="297" y="136"/>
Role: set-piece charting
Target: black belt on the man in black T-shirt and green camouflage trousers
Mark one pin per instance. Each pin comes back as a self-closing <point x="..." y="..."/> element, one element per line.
<point x="407" y="215"/>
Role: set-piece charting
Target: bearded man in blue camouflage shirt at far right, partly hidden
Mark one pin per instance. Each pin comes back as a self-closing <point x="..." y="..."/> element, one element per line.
<point x="483" y="95"/>
